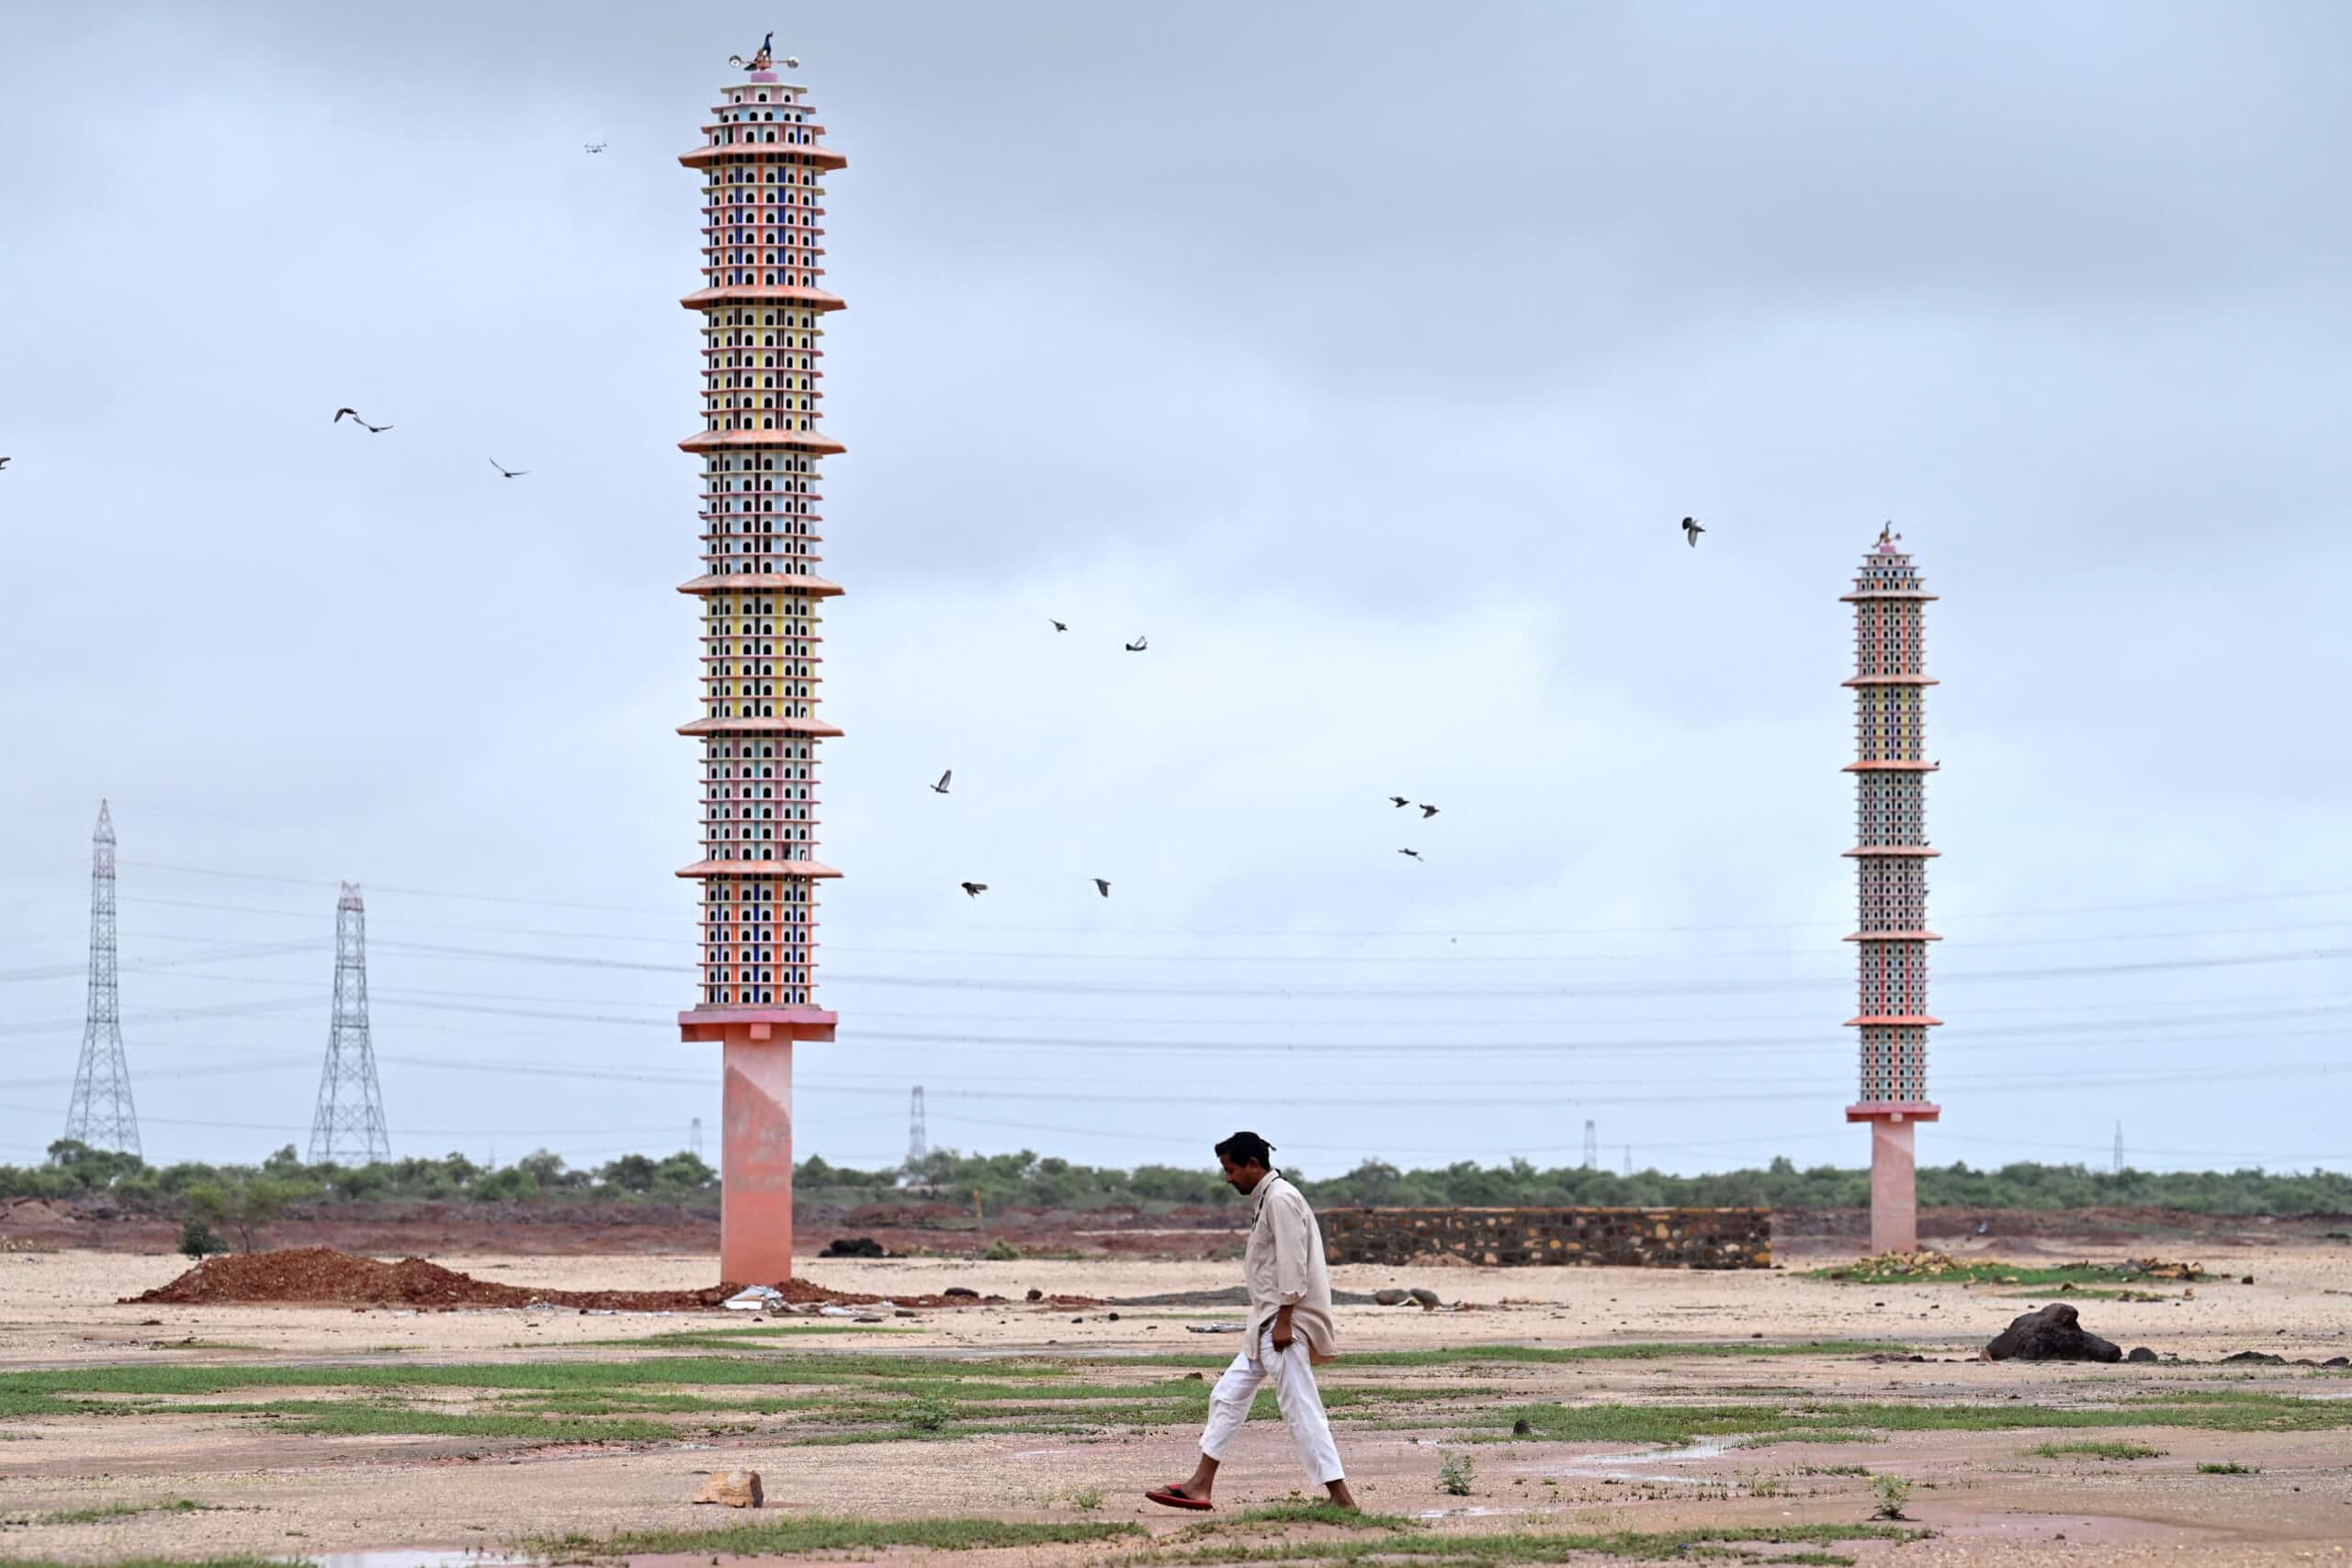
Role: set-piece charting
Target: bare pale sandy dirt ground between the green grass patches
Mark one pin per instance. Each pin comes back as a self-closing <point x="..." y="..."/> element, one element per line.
<point x="1977" y="1489"/>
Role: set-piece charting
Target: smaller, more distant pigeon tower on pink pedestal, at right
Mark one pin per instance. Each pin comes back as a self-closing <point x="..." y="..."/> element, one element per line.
<point x="1892" y="859"/>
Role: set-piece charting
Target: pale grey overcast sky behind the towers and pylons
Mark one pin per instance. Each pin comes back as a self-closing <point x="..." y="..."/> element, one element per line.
<point x="1363" y="359"/>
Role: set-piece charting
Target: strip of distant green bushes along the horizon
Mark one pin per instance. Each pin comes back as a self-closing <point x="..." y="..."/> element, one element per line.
<point x="239" y="1198"/>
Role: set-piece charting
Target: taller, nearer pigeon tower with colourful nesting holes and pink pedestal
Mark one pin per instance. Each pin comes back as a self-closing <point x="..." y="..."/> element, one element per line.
<point x="763" y="314"/>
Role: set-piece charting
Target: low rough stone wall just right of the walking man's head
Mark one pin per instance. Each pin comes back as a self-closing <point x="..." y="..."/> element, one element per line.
<point x="1570" y="1238"/>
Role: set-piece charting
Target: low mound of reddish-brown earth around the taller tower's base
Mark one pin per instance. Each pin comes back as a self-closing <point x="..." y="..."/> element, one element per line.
<point x="321" y="1275"/>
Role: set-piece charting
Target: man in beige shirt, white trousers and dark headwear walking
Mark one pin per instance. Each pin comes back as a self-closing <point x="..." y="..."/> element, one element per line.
<point x="1290" y="1329"/>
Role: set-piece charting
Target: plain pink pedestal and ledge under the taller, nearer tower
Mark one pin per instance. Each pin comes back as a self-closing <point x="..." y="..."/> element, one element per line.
<point x="756" y="1134"/>
